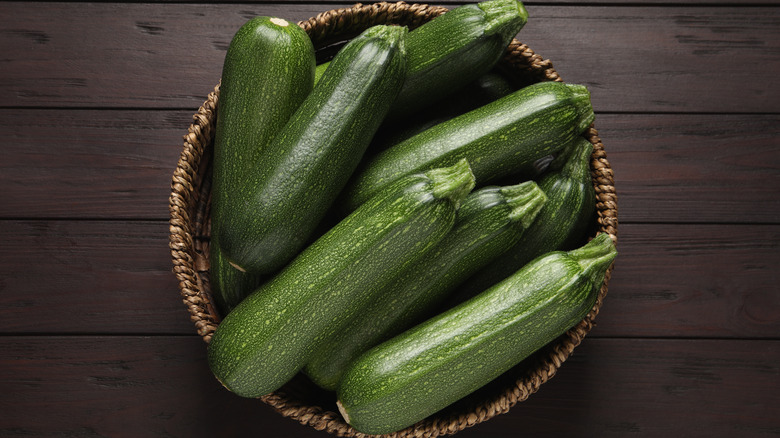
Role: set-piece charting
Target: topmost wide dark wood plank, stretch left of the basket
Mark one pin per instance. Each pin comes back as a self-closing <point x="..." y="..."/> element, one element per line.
<point x="130" y="55"/>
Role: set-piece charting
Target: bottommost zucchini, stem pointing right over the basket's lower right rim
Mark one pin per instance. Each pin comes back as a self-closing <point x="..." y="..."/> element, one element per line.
<point x="436" y="363"/>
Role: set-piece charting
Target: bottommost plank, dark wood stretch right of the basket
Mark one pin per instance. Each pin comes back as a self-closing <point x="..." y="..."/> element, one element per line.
<point x="653" y="388"/>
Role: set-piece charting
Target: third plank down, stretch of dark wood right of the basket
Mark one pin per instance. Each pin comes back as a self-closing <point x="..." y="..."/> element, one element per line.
<point x="694" y="281"/>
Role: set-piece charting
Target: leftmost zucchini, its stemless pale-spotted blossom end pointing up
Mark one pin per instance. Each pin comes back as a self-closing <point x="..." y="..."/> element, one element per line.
<point x="268" y="71"/>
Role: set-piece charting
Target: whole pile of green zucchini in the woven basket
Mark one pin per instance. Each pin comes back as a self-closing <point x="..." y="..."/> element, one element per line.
<point x="401" y="224"/>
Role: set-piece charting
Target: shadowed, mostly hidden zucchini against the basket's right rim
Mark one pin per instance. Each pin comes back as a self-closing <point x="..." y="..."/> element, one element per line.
<point x="562" y="224"/>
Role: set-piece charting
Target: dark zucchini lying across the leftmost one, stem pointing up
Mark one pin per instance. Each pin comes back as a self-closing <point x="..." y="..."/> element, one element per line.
<point x="312" y="157"/>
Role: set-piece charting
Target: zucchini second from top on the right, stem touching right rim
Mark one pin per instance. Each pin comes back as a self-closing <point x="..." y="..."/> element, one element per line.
<point x="499" y="139"/>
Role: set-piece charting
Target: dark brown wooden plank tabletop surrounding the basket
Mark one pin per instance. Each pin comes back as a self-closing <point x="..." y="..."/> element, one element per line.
<point x="94" y="100"/>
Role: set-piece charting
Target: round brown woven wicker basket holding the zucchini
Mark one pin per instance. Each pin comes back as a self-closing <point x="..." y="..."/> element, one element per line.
<point x="300" y="399"/>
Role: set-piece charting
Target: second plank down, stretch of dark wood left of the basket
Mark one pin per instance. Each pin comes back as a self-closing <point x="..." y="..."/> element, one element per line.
<point x="96" y="164"/>
